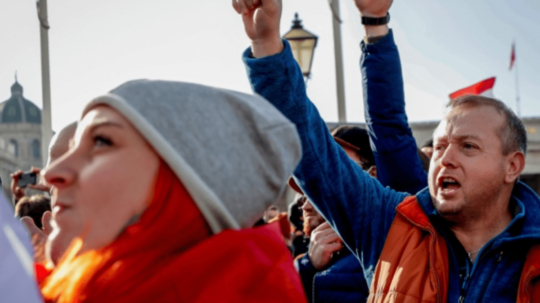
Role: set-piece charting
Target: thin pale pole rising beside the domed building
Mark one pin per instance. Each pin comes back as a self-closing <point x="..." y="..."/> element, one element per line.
<point x="46" y="123"/>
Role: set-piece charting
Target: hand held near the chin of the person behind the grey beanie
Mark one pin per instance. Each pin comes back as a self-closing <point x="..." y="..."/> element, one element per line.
<point x="324" y="242"/>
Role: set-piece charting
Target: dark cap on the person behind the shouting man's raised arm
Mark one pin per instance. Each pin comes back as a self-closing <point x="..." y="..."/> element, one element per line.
<point x="356" y="138"/>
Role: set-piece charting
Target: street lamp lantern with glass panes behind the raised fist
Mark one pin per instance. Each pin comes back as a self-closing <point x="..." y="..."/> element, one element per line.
<point x="302" y="44"/>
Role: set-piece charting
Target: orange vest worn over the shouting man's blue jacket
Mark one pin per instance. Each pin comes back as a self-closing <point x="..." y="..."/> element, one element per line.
<point x="413" y="266"/>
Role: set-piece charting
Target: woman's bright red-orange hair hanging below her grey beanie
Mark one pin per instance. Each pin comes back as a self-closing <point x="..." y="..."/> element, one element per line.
<point x="171" y="224"/>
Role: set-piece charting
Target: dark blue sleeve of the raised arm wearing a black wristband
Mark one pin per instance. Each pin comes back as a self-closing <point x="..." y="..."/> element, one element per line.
<point x="394" y="147"/>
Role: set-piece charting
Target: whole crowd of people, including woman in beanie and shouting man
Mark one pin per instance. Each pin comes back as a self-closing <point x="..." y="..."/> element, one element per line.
<point x="167" y="192"/>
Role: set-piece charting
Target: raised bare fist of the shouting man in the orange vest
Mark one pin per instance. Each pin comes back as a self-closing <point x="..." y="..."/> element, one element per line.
<point x="261" y="21"/>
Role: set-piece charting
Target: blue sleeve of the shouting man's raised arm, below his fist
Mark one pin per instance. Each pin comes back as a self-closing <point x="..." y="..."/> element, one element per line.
<point x="357" y="206"/>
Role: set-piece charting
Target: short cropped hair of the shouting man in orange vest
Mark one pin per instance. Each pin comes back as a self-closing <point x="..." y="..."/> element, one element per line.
<point x="514" y="135"/>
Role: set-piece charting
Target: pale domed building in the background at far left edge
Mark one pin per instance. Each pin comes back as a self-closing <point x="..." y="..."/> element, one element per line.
<point x="20" y="135"/>
